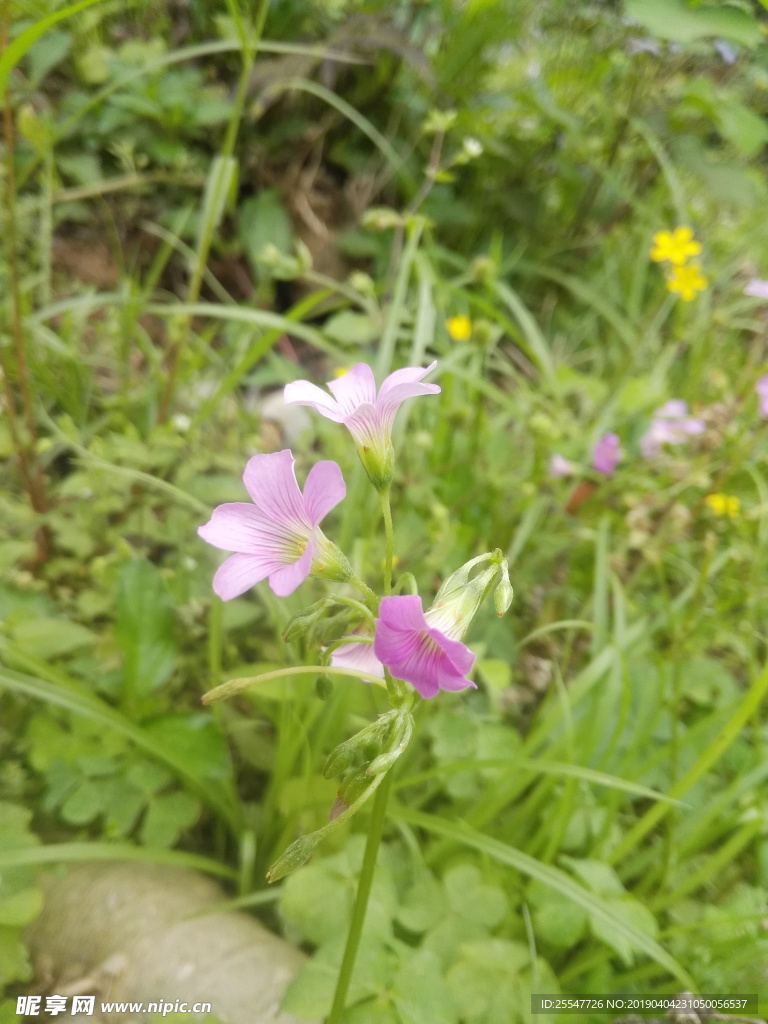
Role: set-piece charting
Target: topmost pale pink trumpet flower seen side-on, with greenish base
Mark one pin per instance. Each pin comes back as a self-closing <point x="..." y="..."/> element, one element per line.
<point x="368" y="416"/>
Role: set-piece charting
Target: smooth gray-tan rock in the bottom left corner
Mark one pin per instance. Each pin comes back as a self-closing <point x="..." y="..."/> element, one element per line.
<point x="141" y="933"/>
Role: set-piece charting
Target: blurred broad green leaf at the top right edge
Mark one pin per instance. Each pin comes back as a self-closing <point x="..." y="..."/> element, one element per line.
<point x="681" y="23"/>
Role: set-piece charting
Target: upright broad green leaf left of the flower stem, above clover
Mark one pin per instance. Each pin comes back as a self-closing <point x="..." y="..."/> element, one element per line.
<point x="145" y="629"/>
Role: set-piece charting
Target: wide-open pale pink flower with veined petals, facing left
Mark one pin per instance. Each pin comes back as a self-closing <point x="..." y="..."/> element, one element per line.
<point x="278" y="537"/>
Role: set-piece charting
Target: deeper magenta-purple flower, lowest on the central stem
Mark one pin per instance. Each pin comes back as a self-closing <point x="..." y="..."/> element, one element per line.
<point x="414" y="651"/>
